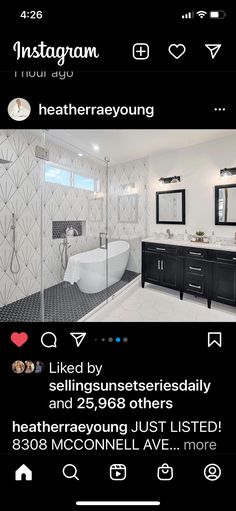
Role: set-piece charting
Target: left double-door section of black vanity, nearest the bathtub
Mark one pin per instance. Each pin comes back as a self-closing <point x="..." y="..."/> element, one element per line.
<point x="160" y="265"/>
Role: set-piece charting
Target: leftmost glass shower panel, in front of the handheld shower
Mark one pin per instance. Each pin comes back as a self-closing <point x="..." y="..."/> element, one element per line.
<point x="20" y="225"/>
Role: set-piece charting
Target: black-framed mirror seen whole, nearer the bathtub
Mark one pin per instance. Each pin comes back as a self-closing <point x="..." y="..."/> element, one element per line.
<point x="170" y="207"/>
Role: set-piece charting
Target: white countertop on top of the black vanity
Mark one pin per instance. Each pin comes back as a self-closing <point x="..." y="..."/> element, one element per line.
<point x="230" y="247"/>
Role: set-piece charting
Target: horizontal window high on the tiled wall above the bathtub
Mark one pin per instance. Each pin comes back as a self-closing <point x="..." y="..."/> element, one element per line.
<point x="64" y="177"/>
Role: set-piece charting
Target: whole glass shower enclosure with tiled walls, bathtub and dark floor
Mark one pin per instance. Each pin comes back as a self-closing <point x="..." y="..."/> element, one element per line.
<point x="71" y="226"/>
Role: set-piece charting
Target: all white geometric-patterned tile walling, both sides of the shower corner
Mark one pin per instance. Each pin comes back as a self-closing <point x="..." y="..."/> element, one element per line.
<point x="22" y="191"/>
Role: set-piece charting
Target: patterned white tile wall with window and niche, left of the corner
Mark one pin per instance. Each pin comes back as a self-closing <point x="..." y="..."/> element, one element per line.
<point x="20" y="193"/>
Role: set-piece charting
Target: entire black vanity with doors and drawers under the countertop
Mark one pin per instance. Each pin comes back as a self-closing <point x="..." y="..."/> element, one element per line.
<point x="210" y="274"/>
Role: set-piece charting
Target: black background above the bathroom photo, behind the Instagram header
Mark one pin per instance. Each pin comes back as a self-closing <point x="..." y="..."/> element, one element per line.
<point x="184" y="92"/>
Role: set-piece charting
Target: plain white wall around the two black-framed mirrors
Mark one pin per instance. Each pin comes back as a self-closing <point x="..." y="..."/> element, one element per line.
<point x="199" y="167"/>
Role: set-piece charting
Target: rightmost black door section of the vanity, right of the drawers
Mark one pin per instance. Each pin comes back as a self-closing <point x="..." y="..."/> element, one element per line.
<point x="222" y="277"/>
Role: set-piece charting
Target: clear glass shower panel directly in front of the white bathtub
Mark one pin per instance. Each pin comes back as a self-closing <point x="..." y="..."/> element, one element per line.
<point x="74" y="230"/>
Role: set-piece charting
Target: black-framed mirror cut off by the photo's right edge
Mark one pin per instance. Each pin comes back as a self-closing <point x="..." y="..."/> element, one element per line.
<point x="225" y="205"/>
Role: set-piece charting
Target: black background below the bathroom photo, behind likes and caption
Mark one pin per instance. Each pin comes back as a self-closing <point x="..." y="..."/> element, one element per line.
<point x="153" y="351"/>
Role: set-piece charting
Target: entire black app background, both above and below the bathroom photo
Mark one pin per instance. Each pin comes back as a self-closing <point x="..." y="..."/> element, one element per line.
<point x="184" y="93"/>
